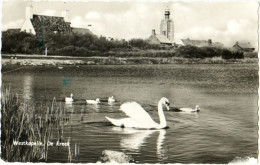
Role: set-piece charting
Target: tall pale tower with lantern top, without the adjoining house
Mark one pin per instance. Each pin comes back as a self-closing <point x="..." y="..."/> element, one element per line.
<point x="167" y="27"/>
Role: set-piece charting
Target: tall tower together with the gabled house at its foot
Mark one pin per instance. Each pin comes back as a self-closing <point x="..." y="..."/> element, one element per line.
<point x="166" y="36"/>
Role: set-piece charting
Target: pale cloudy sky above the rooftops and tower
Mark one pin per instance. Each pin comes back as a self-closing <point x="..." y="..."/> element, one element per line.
<point x="221" y="21"/>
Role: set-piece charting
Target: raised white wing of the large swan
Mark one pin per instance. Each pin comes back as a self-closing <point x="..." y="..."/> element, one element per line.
<point x="136" y="112"/>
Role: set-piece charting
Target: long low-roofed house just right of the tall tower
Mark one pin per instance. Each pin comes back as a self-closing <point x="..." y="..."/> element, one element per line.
<point x="202" y="43"/>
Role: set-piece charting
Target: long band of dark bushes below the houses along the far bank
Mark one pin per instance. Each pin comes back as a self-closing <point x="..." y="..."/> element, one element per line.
<point x="88" y="45"/>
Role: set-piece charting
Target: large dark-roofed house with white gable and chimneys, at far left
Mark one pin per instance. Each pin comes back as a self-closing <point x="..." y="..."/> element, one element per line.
<point x="41" y="25"/>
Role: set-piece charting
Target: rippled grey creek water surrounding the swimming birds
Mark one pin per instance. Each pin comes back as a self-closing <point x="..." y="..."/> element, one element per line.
<point x="224" y="129"/>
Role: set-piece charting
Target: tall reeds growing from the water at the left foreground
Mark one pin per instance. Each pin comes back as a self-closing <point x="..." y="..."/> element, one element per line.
<point x="20" y="123"/>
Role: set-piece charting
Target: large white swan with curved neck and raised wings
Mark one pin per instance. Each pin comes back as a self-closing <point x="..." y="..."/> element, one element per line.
<point x="139" y="118"/>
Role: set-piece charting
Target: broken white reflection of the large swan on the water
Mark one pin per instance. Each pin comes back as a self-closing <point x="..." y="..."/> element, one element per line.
<point x="136" y="138"/>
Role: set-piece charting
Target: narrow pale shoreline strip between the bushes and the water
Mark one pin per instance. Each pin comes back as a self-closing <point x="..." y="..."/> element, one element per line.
<point x="39" y="60"/>
